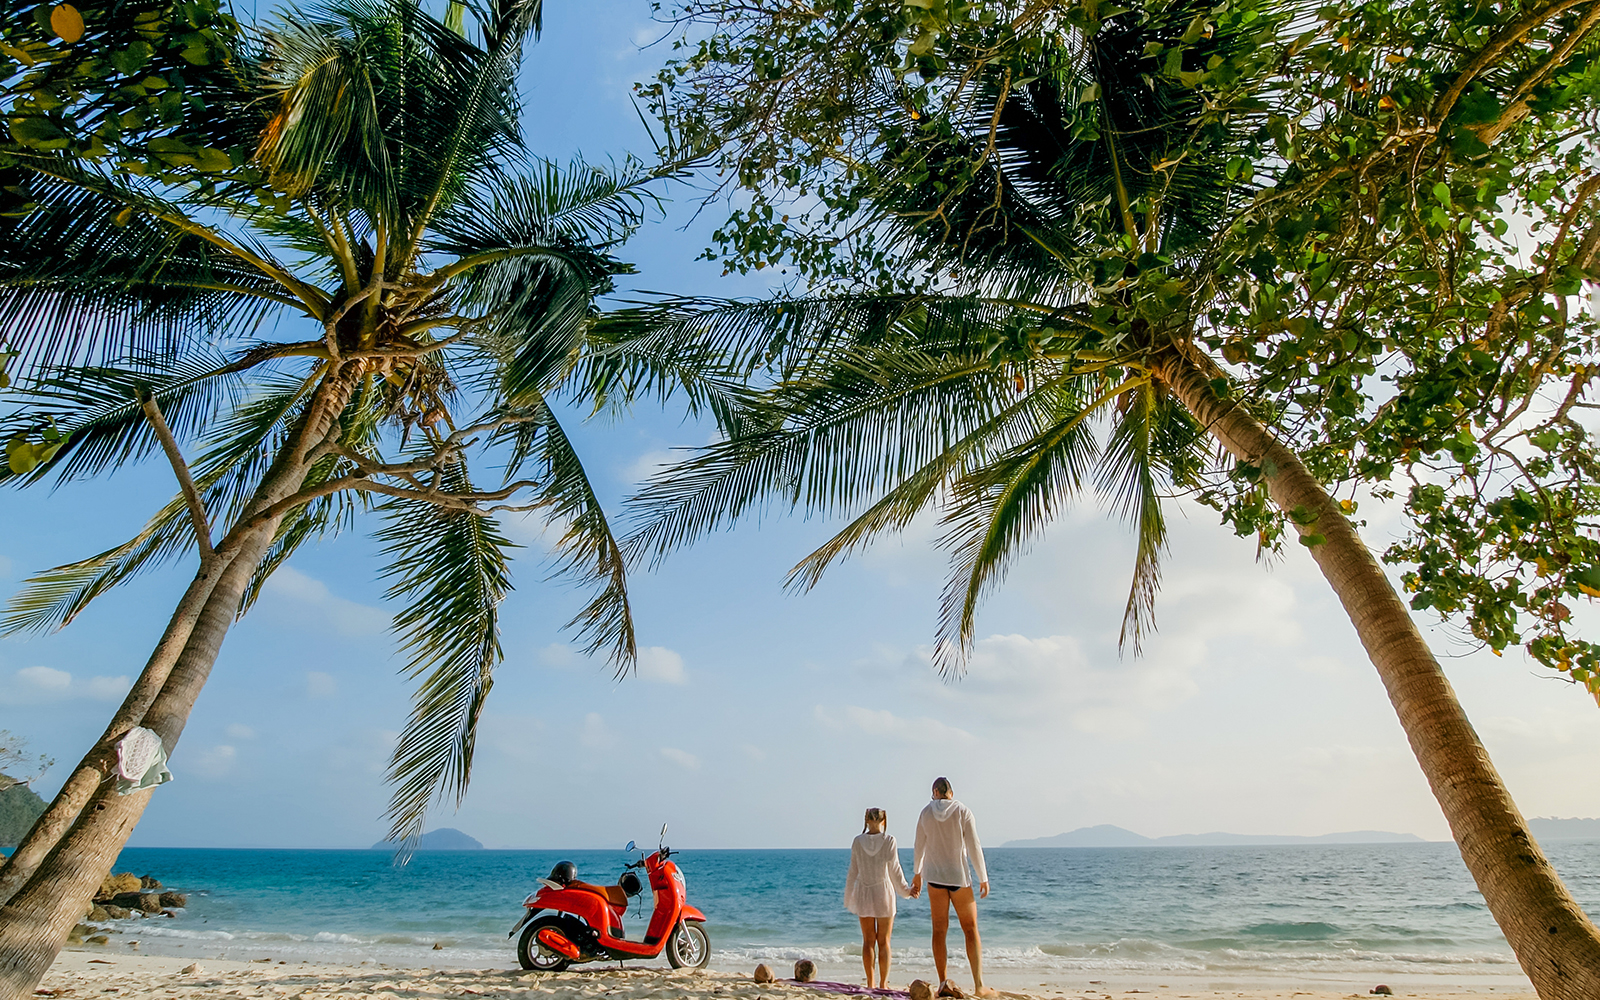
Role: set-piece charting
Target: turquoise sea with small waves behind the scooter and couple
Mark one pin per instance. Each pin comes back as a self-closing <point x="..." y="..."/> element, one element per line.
<point x="1060" y="916"/>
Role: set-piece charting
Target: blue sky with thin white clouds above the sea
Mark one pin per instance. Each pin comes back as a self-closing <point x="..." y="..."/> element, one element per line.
<point x="764" y="719"/>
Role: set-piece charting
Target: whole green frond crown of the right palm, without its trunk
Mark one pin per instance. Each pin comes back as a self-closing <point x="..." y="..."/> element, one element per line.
<point x="1065" y="196"/>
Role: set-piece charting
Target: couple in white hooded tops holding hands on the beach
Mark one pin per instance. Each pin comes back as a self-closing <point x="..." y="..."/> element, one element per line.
<point x="946" y="842"/>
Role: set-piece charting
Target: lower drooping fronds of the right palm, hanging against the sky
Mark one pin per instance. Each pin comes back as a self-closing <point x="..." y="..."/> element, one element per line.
<point x="894" y="407"/>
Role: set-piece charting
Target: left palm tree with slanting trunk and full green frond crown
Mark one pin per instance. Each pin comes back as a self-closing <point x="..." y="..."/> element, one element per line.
<point x="369" y="175"/>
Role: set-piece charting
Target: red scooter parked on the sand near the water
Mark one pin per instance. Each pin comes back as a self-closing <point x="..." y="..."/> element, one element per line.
<point x="570" y="922"/>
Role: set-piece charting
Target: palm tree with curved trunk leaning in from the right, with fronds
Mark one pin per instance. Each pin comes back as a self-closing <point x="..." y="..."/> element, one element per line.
<point x="1074" y="214"/>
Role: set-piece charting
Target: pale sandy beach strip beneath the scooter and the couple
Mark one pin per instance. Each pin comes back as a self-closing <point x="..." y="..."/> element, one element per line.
<point x="106" y="975"/>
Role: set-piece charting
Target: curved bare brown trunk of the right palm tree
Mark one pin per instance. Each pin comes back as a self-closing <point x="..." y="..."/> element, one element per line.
<point x="1551" y="935"/>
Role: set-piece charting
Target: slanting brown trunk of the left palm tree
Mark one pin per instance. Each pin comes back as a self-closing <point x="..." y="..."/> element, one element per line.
<point x="36" y="922"/>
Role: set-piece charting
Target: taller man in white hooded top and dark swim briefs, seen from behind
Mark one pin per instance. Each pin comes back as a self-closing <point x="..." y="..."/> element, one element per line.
<point x="946" y="842"/>
